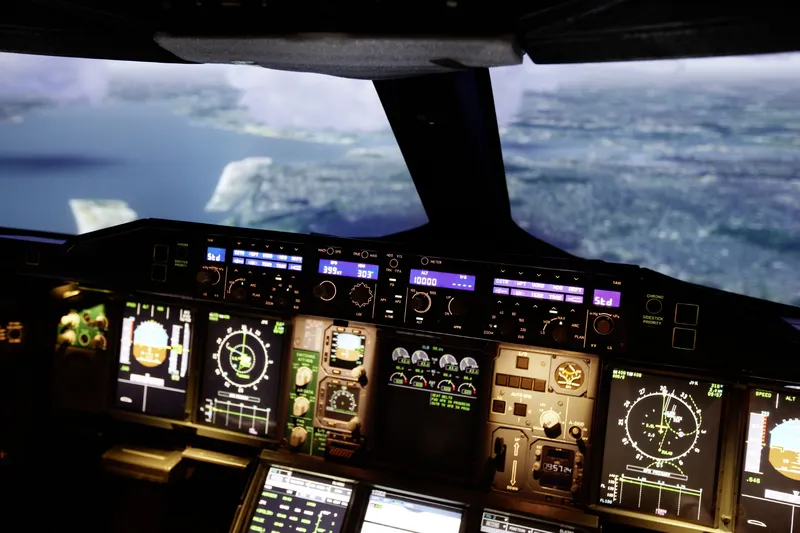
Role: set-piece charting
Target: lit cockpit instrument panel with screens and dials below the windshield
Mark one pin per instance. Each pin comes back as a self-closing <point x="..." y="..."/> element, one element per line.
<point x="526" y="388"/>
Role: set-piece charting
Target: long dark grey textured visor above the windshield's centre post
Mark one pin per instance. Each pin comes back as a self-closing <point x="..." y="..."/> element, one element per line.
<point x="349" y="56"/>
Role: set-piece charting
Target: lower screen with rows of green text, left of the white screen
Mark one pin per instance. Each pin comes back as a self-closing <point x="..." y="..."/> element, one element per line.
<point x="294" y="501"/>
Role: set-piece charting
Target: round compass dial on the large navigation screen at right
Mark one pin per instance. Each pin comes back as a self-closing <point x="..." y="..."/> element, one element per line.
<point x="662" y="425"/>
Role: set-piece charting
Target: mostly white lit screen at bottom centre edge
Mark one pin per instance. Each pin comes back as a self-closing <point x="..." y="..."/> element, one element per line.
<point x="388" y="513"/>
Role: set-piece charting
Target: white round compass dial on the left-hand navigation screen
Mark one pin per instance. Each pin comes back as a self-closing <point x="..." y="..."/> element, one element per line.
<point x="242" y="358"/>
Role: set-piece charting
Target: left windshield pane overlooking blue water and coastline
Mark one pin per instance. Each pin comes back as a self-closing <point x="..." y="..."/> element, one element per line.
<point x="86" y="144"/>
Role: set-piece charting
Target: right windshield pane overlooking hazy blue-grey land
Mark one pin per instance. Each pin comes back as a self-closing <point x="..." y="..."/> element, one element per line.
<point x="690" y="167"/>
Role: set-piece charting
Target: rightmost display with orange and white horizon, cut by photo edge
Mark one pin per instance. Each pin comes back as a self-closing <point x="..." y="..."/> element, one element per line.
<point x="770" y="486"/>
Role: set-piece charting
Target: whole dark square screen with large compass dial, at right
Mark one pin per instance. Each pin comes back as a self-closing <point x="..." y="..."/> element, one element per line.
<point x="662" y="446"/>
